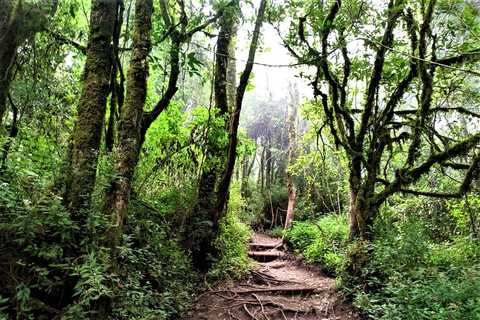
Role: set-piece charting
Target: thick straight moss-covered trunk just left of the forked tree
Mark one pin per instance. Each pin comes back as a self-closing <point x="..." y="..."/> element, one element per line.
<point x="92" y="106"/>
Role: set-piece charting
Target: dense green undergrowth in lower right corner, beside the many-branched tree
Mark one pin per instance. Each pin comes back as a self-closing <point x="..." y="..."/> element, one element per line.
<point x="412" y="277"/>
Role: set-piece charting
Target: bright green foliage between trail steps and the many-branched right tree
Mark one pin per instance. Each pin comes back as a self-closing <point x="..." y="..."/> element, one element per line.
<point x="323" y="243"/>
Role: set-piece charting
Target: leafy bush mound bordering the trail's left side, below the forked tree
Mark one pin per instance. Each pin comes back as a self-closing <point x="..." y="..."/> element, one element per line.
<point x="154" y="276"/>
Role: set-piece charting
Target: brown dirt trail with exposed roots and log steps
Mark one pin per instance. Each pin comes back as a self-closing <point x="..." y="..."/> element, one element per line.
<point x="282" y="288"/>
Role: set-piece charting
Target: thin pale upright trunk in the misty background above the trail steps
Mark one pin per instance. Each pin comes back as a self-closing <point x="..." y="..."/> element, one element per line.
<point x="292" y="150"/>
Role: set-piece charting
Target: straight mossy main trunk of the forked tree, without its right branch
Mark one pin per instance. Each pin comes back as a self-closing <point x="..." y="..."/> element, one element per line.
<point x="127" y="151"/>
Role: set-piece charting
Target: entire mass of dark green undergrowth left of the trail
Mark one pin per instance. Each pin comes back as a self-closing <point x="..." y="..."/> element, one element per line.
<point x="53" y="268"/>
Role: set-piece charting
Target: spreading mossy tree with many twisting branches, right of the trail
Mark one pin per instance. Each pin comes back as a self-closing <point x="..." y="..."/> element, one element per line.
<point x="386" y="112"/>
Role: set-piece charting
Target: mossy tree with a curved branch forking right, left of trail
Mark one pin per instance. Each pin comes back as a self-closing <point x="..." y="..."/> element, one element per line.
<point x="135" y="121"/>
